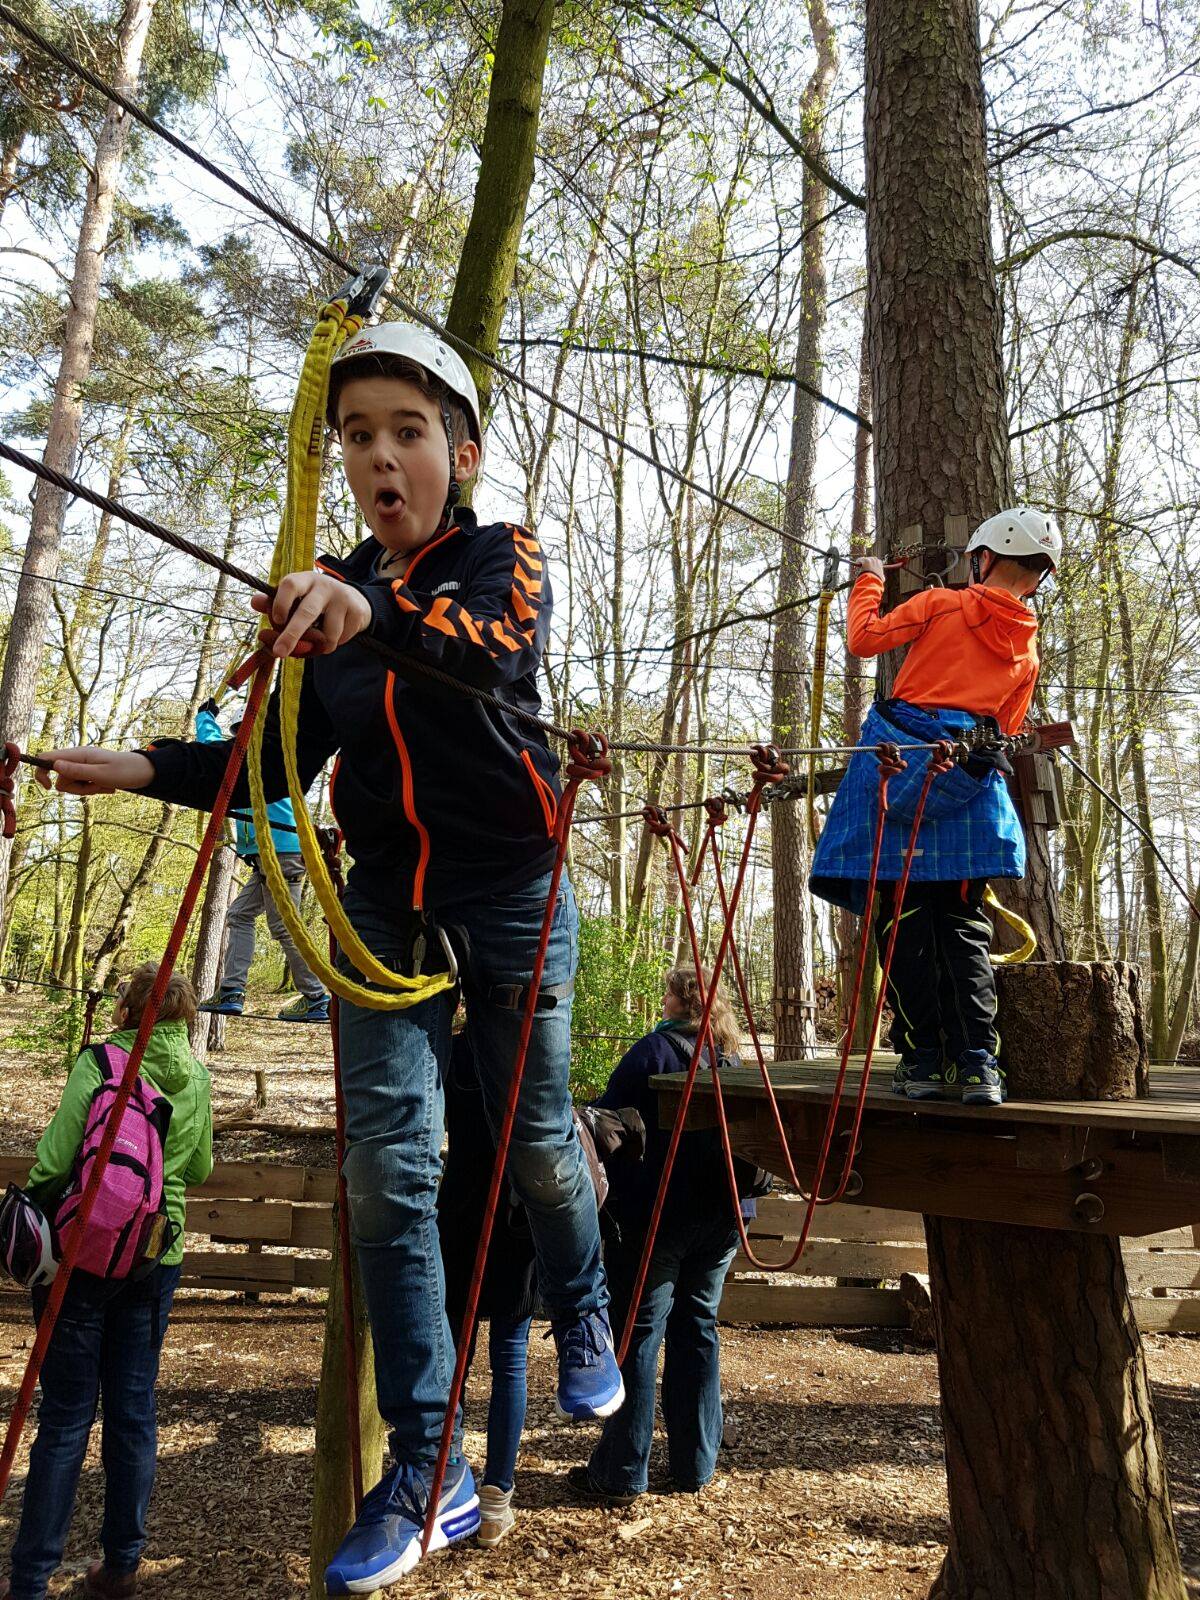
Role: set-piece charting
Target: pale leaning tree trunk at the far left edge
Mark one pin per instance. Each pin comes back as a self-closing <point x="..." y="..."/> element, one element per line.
<point x="31" y="610"/>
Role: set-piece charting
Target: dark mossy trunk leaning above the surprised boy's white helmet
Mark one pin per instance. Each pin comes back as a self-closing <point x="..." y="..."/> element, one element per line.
<point x="503" y="188"/>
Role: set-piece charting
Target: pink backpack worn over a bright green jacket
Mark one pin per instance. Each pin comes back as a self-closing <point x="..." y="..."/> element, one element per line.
<point x="129" y="1230"/>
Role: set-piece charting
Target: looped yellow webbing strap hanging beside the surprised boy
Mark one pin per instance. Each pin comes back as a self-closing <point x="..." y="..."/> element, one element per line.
<point x="295" y="551"/>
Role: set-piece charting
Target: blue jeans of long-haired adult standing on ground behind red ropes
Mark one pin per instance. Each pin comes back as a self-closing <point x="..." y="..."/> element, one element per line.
<point x="679" y="1305"/>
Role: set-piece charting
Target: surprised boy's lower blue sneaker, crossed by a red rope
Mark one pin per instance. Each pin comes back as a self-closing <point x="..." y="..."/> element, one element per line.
<point x="385" y="1542"/>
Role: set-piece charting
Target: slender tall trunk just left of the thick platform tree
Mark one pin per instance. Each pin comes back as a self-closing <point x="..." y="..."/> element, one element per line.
<point x="791" y="847"/>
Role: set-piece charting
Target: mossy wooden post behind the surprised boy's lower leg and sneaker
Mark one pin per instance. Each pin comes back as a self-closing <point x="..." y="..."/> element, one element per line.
<point x="332" y="1484"/>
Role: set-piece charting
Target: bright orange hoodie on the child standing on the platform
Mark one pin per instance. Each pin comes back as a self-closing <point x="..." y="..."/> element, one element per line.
<point x="972" y="649"/>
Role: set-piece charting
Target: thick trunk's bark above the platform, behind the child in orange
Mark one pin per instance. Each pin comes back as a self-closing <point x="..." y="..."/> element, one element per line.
<point x="934" y="311"/>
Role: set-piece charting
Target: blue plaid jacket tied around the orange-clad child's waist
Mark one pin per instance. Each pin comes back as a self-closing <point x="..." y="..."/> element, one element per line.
<point x="970" y="828"/>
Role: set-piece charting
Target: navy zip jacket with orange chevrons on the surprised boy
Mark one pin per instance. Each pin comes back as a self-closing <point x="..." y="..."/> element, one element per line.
<point x="441" y="799"/>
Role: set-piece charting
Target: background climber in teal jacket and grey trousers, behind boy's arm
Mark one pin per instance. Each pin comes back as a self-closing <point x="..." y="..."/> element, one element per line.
<point x="254" y="900"/>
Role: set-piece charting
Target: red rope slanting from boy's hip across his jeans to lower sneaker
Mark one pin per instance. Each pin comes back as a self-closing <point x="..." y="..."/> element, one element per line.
<point x="588" y="761"/>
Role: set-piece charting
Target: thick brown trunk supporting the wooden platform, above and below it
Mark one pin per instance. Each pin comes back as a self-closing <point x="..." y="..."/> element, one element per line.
<point x="1055" y="1474"/>
